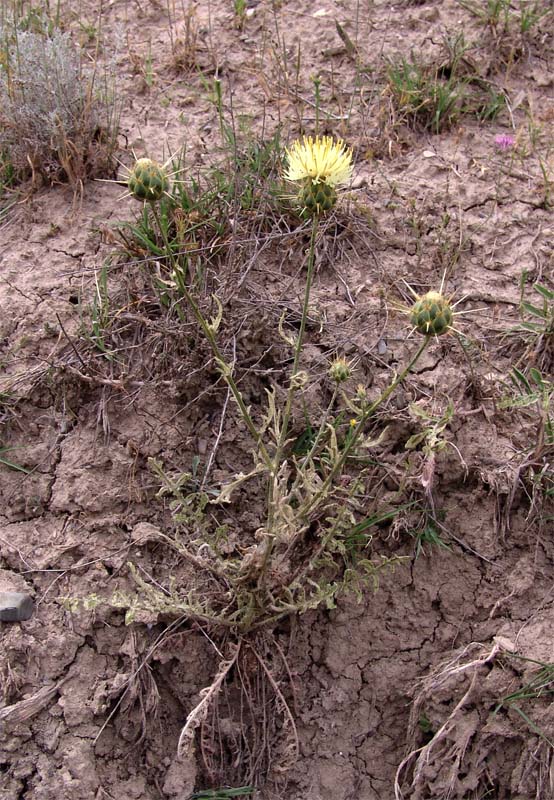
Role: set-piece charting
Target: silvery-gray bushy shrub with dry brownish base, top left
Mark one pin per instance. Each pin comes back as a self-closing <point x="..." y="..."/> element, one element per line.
<point x="52" y="120"/>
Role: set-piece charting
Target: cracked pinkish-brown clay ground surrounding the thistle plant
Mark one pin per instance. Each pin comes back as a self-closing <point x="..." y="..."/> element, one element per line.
<point x="404" y="691"/>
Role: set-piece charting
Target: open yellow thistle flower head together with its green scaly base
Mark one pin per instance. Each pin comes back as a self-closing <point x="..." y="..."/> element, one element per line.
<point x="319" y="165"/>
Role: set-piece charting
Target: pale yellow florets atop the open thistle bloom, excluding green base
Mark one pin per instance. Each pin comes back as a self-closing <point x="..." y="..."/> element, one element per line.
<point x="320" y="160"/>
